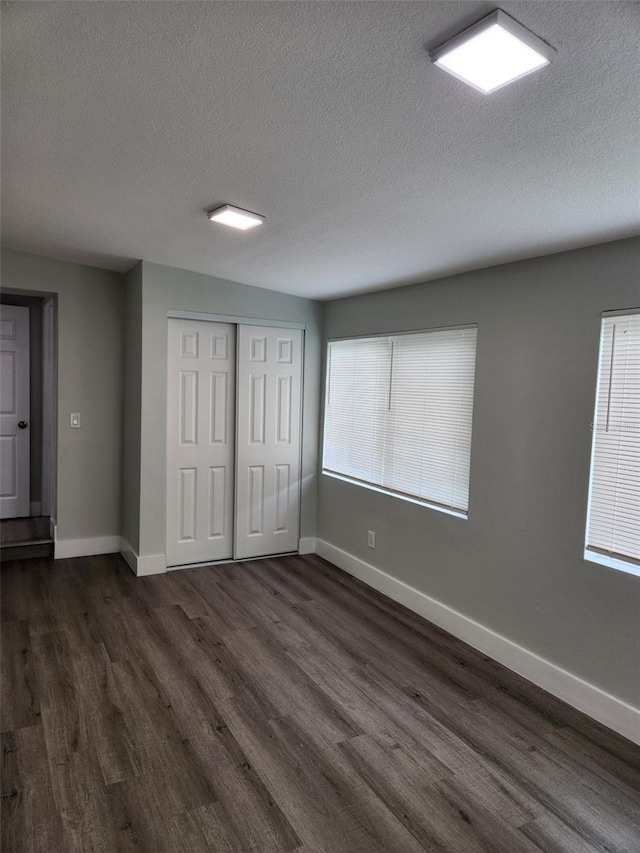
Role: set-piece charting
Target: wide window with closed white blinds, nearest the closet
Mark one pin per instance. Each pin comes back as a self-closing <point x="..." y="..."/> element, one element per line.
<point x="398" y="414"/>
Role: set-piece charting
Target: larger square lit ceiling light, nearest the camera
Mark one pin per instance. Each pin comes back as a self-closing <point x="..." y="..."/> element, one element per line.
<point x="493" y="53"/>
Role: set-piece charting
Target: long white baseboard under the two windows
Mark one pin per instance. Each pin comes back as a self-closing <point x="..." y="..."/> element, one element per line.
<point x="586" y="697"/>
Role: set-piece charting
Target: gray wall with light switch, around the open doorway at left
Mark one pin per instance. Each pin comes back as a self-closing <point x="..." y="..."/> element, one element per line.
<point x="89" y="377"/>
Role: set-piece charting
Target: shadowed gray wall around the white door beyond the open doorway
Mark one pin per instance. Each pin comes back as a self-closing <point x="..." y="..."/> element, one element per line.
<point x="34" y="304"/>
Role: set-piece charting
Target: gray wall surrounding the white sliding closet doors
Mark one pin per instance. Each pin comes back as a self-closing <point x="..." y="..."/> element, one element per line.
<point x="165" y="289"/>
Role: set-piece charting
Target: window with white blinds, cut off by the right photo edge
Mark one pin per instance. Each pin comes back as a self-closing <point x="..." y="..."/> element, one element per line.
<point x="613" y="518"/>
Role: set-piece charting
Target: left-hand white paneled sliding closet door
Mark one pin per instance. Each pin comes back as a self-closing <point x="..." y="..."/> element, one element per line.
<point x="201" y="396"/>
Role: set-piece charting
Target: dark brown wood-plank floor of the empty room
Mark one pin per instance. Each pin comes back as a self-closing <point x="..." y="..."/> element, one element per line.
<point x="280" y="705"/>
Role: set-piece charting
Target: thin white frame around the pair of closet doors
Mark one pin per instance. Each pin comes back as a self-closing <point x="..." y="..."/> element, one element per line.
<point x="175" y="314"/>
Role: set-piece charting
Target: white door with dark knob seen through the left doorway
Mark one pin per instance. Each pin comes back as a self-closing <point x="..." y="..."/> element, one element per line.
<point x="14" y="411"/>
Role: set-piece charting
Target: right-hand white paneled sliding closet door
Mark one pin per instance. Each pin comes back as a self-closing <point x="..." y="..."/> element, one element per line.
<point x="268" y="440"/>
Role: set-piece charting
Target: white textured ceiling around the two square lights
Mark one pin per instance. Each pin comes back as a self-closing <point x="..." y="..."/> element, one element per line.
<point x="122" y="123"/>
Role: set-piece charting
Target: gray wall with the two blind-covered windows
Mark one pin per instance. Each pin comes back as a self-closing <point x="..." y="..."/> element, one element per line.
<point x="516" y="564"/>
